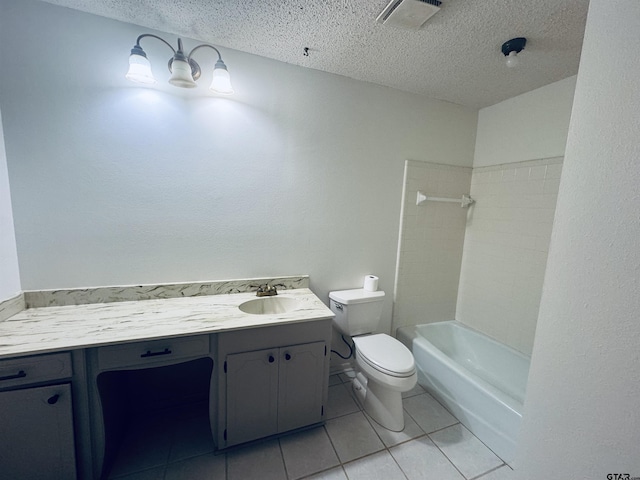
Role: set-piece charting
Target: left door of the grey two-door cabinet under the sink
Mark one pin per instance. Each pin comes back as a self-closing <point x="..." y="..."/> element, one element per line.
<point x="252" y="395"/>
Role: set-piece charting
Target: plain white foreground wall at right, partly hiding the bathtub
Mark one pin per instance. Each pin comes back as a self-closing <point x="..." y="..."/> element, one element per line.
<point x="581" y="414"/>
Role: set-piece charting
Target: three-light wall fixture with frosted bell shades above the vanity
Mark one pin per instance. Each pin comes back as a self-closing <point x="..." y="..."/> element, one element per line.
<point x="184" y="69"/>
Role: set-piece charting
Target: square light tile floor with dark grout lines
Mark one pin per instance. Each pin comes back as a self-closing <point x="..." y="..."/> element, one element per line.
<point x="433" y="446"/>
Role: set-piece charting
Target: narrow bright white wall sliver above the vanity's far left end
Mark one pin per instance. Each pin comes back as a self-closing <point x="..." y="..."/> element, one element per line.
<point x="9" y="273"/>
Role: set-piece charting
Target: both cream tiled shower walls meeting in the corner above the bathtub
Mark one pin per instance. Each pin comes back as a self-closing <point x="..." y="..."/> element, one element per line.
<point x="484" y="265"/>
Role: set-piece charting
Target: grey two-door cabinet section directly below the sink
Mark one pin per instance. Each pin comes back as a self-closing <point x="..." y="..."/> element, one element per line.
<point x="271" y="380"/>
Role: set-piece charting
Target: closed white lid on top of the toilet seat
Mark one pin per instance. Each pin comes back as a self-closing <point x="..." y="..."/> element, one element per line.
<point x="386" y="354"/>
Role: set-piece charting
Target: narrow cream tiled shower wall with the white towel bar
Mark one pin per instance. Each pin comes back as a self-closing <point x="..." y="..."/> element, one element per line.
<point x="430" y="246"/>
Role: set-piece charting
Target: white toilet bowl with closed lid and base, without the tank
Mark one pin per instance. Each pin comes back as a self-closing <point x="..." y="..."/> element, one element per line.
<point x="389" y="369"/>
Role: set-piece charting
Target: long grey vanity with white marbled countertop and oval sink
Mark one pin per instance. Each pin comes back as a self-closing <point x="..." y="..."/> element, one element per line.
<point x="64" y="369"/>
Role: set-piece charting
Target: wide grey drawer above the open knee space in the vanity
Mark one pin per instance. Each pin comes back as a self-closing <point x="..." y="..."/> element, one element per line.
<point x="153" y="352"/>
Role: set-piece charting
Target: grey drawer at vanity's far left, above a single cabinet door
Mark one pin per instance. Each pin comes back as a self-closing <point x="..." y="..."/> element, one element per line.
<point x="29" y="370"/>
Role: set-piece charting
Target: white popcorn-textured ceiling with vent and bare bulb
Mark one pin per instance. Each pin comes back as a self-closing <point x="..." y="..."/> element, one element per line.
<point x="455" y="56"/>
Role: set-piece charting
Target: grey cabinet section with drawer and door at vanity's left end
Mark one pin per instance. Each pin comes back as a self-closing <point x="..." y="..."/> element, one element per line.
<point x="36" y="418"/>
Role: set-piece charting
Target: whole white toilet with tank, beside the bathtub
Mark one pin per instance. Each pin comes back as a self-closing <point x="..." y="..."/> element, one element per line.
<point x="385" y="366"/>
